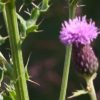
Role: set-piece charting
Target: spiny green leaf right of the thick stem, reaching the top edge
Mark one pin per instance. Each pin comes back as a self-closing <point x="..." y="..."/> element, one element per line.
<point x="27" y="26"/>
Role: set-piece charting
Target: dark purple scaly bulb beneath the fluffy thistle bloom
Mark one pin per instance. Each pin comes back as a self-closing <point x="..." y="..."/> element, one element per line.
<point x="84" y="59"/>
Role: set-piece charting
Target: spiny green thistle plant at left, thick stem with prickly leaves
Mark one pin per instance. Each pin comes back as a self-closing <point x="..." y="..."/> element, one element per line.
<point x="16" y="88"/>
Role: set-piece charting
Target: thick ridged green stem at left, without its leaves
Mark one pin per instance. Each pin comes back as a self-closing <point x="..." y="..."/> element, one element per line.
<point x="10" y="17"/>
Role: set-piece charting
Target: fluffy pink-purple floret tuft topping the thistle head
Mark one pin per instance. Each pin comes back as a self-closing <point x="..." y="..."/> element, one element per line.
<point x="78" y="30"/>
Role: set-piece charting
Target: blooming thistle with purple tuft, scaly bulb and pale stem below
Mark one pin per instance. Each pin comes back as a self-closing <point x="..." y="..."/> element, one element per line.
<point x="80" y="33"/>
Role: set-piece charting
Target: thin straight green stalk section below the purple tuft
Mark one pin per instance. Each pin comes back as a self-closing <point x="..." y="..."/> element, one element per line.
<point x="65" y="73"/>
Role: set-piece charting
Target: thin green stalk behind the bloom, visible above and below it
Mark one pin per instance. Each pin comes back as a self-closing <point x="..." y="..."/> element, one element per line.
<point x="64" y="85"/>
